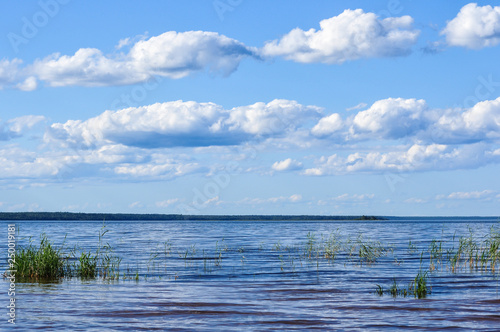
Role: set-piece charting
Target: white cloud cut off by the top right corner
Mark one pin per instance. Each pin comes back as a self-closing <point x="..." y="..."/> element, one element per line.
<point x="474" y="27"/>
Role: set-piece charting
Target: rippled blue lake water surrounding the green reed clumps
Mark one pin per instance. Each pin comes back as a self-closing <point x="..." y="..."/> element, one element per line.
<point x="218" y="276"/>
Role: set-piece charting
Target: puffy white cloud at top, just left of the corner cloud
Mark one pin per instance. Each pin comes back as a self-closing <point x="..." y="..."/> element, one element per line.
<point x="351" y="35"/>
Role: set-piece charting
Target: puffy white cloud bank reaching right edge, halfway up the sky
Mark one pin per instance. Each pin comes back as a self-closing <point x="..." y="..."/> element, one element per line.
<point x="413" y="120"/>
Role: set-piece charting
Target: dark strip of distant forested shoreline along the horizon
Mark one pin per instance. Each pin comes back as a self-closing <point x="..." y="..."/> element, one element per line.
<point x="167" y="217"/>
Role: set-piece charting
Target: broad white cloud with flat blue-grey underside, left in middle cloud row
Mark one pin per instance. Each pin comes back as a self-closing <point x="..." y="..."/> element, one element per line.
<point x="161" y="124"/>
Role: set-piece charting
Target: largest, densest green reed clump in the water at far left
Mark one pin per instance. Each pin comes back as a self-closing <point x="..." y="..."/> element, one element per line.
<point x="42" y="262"/>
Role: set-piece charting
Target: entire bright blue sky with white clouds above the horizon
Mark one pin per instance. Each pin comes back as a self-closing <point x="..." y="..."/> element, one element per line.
<point x="250" y="107"/>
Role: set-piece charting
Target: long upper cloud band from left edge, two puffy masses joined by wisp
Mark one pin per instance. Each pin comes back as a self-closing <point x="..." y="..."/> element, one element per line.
<point x="351" y="35"/>
